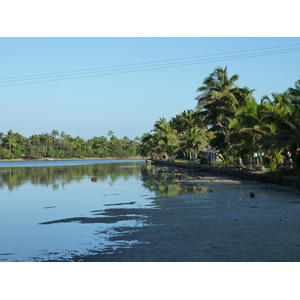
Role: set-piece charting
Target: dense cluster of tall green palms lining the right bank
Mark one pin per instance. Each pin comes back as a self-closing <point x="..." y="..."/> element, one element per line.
<point x="228" y="119"/>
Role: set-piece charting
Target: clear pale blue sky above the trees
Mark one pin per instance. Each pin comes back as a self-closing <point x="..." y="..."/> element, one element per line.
<point x="128" y="103"/>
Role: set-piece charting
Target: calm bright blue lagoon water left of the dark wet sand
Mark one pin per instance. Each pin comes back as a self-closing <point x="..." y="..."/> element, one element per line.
<point x="36" y="192"/>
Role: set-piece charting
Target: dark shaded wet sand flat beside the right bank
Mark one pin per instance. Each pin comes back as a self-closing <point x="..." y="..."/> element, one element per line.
<point x="223" y="225"/>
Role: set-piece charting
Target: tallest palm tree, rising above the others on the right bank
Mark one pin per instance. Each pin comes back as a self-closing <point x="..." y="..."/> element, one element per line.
<point x="220" y="98"/>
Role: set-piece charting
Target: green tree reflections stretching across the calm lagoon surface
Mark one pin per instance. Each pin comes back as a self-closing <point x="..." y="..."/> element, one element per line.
<point x="165" y="182"/>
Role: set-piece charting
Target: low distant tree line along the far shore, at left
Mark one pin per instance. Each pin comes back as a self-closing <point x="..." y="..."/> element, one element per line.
<point x="61" y="145"/>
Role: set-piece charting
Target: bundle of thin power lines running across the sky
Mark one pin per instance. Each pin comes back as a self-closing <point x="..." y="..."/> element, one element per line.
<point x="147" y="66"/>
